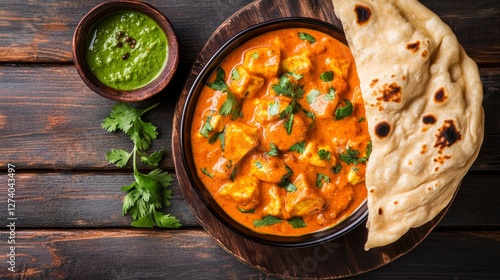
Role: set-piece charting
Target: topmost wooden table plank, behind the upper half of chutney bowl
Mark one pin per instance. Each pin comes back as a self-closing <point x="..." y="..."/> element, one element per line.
<point x="41" y="31"/>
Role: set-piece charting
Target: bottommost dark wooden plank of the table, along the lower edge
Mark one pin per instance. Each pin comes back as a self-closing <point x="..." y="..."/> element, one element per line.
<point x="192" y="254"/>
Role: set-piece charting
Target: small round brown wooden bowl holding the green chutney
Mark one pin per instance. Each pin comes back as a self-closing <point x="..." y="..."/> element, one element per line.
<point x="81" y="35"/>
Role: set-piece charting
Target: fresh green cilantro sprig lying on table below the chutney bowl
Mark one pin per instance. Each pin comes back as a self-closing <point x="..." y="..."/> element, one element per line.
<point x="149" y="193"/>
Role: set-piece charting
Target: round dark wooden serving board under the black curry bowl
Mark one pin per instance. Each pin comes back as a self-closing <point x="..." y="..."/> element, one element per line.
<point x="341" y="257"/>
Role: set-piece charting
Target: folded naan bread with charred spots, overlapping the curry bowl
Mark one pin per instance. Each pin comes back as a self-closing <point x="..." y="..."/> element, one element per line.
<point x="423" y="98"/>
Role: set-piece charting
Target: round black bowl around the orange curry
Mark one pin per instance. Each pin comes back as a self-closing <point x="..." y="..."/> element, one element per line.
<point x="356" y="218"/>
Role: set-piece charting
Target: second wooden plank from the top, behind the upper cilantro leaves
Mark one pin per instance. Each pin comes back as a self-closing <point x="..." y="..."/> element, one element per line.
<point x="63" y="119"/>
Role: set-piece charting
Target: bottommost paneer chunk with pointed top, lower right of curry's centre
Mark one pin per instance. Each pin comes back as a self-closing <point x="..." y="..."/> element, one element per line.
<point x="305" y="200"/>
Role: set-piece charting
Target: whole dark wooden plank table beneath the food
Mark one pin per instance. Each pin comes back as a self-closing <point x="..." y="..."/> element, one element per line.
<point x="68" y="199"/>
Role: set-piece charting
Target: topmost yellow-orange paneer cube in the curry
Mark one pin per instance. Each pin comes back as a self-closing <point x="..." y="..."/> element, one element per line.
<point x="263" y="61"/>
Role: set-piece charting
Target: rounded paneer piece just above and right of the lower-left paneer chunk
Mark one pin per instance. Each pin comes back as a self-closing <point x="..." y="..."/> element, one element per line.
<point x="268" y="169"/>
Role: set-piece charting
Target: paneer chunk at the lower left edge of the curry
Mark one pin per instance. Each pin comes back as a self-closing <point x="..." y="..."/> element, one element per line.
<point x="244" y="190"/>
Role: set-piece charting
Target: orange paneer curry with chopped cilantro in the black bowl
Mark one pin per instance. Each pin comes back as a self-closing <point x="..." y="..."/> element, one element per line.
<point x="279" y="136"/>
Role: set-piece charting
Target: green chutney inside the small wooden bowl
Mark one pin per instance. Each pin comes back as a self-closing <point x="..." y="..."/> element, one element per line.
<point x="126" y="50"/>
